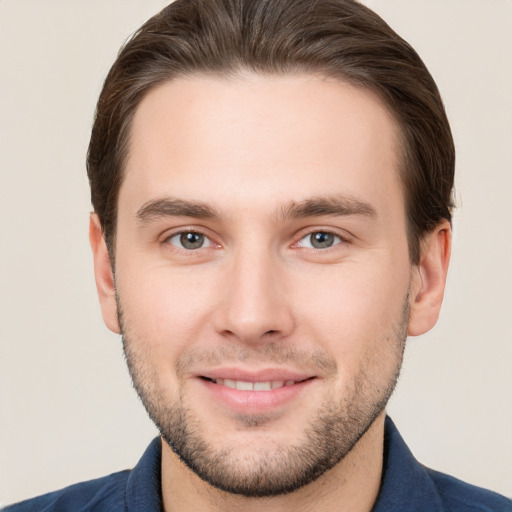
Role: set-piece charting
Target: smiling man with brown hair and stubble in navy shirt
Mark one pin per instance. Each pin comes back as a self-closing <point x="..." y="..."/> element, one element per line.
<point x="271" y="183"/>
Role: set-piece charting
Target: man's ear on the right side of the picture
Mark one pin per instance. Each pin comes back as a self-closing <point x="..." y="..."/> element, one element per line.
<point x="429" y="279"/>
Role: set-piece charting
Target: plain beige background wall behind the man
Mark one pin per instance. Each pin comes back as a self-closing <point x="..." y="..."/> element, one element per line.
<point x="67" y="410"/>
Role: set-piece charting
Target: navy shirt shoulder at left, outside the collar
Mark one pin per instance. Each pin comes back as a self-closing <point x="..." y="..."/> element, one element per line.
<point x="102" y="494"/>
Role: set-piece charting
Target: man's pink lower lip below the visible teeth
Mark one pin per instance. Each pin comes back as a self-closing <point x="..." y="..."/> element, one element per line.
<point x="255" y="402"/>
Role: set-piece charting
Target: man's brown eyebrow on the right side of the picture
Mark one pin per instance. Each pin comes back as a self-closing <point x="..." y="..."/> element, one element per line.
<point x="336" y="205"/>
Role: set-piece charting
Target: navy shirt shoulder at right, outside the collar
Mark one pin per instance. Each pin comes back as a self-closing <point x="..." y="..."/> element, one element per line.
<point x="457" y="495"/>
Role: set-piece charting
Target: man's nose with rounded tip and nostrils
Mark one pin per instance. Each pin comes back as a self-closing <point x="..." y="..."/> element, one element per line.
<point x="254" y="305"/>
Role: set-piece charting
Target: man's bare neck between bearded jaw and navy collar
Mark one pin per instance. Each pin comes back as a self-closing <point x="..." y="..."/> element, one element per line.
<point x="352" y="485"/>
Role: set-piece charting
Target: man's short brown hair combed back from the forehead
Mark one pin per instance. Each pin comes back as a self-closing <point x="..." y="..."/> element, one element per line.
<point x="336" y="38"/>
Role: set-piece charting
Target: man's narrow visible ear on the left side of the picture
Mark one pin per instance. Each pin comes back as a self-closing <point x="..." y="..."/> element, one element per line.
<point x="103" y="274"/>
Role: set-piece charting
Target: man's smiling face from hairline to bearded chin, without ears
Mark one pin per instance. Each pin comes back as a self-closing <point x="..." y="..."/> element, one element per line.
<point x="262" y="273"/>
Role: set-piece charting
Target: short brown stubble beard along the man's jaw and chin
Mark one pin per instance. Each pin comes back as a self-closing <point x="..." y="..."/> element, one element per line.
<point x="332" y="433"/>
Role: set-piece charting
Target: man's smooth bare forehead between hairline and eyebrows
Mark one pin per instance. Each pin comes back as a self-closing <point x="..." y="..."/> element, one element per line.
<point x="248" y="139"/>
